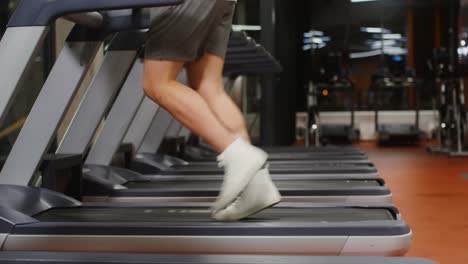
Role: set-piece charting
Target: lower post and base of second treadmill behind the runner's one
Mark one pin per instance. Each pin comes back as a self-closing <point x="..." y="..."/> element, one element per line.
<point x="147" y="162"/>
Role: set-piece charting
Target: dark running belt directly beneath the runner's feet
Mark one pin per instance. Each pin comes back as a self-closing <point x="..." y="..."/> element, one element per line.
<point x="157" y="215"/>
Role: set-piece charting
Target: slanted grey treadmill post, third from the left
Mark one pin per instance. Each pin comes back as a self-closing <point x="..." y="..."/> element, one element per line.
<point x="118" y="61"/>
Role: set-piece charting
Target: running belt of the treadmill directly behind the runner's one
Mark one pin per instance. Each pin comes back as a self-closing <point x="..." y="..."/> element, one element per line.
<point x="282" y="185"/>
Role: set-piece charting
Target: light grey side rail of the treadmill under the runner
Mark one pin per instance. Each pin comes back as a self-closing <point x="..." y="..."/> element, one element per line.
<point x="316" y="245"/>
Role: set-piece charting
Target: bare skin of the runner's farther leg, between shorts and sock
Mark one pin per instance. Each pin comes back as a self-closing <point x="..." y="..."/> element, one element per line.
<point x="206" y="77"/>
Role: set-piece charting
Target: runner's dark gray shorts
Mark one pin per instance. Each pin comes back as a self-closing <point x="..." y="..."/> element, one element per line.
<point x="188" y="31"/>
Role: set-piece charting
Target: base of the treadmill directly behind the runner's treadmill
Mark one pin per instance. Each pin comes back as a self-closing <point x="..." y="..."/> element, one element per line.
<point x="111" y="184"/>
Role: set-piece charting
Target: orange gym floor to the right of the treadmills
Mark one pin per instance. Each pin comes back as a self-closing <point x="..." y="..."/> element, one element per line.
<point x="432" y="194"/>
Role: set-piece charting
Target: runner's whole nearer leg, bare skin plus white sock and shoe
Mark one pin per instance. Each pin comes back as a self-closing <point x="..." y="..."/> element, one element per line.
<point x="241" y="160"/>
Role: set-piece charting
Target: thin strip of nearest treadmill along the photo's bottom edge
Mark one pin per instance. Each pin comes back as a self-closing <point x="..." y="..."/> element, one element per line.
<point x="80" y="258"/>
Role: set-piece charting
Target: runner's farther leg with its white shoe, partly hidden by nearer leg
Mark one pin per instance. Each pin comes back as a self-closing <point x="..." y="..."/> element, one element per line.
<point x="206" y="77"/>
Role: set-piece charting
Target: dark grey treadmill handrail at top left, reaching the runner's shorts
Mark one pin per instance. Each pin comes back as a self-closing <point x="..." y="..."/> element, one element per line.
<point x="43" y="12"/>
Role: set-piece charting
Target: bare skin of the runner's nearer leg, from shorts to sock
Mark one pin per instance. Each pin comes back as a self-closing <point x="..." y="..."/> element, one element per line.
<point x="183" y="103"/>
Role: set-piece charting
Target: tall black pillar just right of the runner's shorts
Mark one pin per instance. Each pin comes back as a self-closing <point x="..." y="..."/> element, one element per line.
<point x="282" y="36"/>
